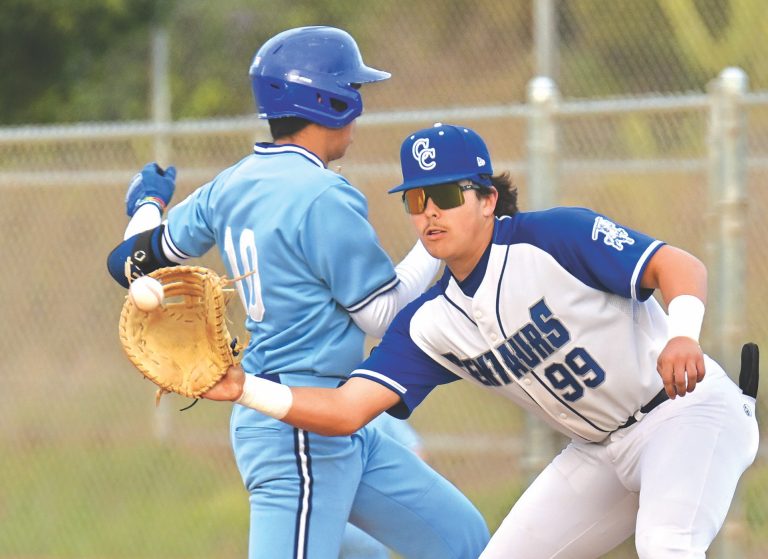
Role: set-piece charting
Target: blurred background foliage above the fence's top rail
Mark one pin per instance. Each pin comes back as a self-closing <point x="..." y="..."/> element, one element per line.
<point x="88" y="60"/>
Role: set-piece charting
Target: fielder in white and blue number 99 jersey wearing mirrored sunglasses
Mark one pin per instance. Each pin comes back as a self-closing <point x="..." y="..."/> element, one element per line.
<point x="553" y="310"/>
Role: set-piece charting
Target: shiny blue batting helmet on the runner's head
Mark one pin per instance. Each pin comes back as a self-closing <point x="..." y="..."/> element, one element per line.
<point x="312" y="73"/>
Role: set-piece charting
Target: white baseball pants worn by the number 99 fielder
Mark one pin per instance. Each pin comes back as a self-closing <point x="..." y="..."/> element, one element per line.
<point x="669" y="479"/>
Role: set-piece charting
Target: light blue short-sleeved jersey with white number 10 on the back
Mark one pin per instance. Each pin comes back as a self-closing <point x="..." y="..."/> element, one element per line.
<point x="272" y="216"/>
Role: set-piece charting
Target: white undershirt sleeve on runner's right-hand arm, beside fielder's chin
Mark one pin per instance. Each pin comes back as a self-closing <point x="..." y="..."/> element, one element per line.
<point x="415" y="273"/>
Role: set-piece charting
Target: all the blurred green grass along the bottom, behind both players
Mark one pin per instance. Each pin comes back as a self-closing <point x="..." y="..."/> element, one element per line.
<point x="157" y="500"/>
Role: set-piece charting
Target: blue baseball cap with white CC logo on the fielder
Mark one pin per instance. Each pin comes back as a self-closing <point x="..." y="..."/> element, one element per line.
<point x="444" y="153"/>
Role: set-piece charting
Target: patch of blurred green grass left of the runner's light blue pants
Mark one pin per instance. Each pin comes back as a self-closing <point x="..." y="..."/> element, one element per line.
<point x="139" y="500"/>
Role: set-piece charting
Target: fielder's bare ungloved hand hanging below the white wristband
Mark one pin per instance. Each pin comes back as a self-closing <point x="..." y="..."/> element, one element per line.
<point x="681" y="366"/>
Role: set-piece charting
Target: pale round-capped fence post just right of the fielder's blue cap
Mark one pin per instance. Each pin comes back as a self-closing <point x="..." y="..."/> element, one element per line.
<point x="542" y="191"/>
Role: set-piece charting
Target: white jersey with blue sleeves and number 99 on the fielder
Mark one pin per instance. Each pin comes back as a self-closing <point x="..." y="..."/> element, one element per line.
<point x="552" y="317"/>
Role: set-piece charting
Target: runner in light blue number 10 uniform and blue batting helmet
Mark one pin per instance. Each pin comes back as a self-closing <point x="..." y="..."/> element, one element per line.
<point x="316" y="281"/>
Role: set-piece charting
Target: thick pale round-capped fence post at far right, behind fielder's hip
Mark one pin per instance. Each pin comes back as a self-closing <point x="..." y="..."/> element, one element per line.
<point x="727" y="217"/>
